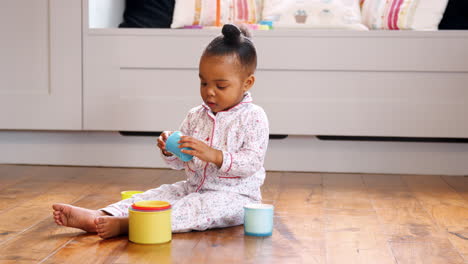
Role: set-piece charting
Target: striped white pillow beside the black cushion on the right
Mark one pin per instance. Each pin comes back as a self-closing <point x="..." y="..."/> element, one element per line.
<point x="403" y="14"/>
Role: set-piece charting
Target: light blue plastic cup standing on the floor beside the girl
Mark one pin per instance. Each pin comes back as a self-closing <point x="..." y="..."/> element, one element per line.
<point x="258" y="220"/>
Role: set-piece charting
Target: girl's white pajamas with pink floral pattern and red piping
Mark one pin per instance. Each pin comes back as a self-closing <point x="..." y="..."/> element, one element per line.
<point x="213" y="197"/>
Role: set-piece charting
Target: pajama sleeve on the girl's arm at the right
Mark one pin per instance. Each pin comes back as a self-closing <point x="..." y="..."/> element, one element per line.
<point x="250" y="157"/>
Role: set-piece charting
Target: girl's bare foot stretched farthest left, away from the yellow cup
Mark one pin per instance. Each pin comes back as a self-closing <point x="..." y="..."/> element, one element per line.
<point x="72" y="216"/>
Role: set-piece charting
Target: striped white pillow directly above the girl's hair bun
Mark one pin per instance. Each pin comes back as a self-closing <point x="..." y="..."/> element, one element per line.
<point x="213" y="13"/>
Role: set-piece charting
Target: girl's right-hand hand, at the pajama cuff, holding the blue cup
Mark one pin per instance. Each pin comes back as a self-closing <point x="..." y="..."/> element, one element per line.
<point x="201" y="150"/>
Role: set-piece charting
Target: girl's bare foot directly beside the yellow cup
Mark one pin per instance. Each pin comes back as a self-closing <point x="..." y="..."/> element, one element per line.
<point x="111" y="226"/>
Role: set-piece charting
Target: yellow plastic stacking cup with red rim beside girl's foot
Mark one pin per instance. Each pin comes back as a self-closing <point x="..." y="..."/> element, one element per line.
<point x="150" y="222"/>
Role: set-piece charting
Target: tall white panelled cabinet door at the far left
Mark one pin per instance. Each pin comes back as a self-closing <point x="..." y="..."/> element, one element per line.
<point x="40" y="66"/>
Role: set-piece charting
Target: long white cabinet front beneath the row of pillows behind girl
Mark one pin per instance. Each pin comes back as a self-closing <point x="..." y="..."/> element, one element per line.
<point x="310" y="82"/>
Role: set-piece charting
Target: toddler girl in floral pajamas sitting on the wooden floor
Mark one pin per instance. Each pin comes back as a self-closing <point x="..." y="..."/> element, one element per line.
<point x="228" y="136"/>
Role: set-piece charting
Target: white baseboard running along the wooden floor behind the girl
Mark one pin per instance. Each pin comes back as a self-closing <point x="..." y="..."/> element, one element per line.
<point x="294" y="153"/>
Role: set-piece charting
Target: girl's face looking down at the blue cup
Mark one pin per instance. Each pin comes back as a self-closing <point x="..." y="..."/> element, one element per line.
<point x="222" y="82"/>
